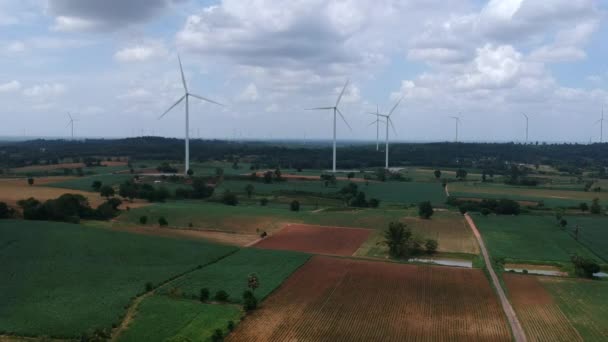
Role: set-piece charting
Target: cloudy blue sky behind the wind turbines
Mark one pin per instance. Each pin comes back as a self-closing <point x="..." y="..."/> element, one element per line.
<point x="113" y="65"/>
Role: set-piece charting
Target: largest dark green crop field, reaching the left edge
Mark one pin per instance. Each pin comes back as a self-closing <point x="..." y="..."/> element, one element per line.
<point x="63" y="279"/>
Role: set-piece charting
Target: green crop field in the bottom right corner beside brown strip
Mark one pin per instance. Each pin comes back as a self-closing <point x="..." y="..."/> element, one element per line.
<point x="585" y="304"/>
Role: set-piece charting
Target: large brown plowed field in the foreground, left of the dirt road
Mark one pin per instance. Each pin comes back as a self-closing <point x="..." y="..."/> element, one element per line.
<point x="333" y="299"/>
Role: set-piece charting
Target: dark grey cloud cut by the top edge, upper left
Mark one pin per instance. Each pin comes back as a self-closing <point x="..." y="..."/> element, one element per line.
<point x="86" y="15"/>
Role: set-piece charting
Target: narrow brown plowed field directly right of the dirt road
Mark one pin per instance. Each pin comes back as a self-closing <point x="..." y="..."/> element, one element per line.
<point x="540" y="316"/>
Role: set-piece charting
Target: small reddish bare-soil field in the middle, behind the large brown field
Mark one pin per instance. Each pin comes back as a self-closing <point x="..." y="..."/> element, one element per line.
<point x="317" y="239"/>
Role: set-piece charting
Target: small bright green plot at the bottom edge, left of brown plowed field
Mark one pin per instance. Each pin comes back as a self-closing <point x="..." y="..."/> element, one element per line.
<point x="162" y="318"/>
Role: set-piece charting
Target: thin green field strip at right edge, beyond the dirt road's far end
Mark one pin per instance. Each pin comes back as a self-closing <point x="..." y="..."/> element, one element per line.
<point x="551" y="198"/>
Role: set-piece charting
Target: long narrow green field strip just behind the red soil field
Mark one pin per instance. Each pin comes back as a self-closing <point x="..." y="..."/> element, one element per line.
<point x="250" y="218"/>
